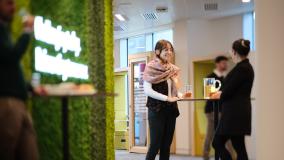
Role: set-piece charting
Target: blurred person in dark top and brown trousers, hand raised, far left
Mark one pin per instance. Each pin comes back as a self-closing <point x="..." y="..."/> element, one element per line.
<point x="17" y="135"/>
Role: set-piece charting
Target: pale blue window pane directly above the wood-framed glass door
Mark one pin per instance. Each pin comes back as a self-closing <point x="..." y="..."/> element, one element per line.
<point x="137" y="44"/>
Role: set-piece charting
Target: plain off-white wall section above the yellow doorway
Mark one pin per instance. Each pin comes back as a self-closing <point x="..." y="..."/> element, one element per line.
<point x="213" y="36"/>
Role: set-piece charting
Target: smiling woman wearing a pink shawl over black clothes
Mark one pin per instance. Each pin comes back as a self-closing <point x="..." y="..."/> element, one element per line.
<point x="160" y="85"/>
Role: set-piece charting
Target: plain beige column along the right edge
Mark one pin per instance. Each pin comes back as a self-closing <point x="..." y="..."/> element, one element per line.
<point x="270" y="79"/>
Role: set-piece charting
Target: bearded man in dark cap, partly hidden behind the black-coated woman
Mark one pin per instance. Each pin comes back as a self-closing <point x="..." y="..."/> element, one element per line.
<point x="221" y="66"/>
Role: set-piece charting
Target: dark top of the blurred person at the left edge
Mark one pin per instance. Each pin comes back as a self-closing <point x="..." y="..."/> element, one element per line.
<point x="12" y="82"/>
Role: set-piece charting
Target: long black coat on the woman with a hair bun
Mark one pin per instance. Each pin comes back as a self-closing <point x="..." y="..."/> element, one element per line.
<point x="236" y="101"/>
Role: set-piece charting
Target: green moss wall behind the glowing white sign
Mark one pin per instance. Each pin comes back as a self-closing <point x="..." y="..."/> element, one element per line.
<point x="91" y="122"/>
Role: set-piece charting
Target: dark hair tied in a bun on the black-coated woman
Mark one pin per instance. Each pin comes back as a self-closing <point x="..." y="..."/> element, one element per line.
<point x="242" y="47"/>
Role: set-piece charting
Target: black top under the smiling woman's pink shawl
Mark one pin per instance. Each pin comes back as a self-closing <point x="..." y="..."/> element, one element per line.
<point x="157" y="105"/>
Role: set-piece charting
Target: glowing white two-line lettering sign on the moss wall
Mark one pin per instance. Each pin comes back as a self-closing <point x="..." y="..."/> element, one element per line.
<point x="61" y="40"/>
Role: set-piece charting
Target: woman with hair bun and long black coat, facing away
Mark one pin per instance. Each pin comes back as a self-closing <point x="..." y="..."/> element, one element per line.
<point x="235" y="121"/>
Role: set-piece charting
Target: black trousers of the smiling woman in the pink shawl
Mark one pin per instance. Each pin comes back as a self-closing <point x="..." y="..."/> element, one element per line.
<point x="162" y="127"/>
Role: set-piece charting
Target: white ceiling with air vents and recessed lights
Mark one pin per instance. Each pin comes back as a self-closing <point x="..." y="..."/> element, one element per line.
<point x="177" y="10"/>
